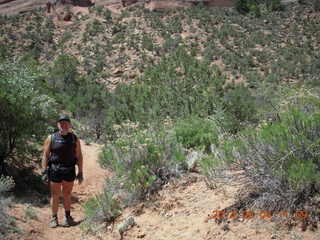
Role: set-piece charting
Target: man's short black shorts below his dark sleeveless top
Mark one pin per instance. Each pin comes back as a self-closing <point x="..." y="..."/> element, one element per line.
<point x="59" y="173"/>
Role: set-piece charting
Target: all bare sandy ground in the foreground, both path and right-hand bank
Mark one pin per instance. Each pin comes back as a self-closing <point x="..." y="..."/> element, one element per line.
<point x="179" y="212"/>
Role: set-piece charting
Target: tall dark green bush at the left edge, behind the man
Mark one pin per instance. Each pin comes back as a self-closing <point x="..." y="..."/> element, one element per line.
<point x="26" y="112"/>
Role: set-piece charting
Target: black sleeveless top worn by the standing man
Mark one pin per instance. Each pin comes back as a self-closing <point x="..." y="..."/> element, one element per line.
<point x="63" y="149"/>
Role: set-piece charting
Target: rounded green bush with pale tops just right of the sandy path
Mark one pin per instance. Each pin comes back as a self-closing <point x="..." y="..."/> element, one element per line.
<point x="144" y="159"/>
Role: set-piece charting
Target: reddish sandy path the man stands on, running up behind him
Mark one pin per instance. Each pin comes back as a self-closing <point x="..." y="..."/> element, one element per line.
<point x="94" y="178"/>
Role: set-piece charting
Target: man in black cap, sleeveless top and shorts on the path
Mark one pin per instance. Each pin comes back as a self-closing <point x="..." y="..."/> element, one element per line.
<point x="61" y="153"/>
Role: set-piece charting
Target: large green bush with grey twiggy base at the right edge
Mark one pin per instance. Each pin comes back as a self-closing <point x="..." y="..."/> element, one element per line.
<point x="280" y="159"/>
